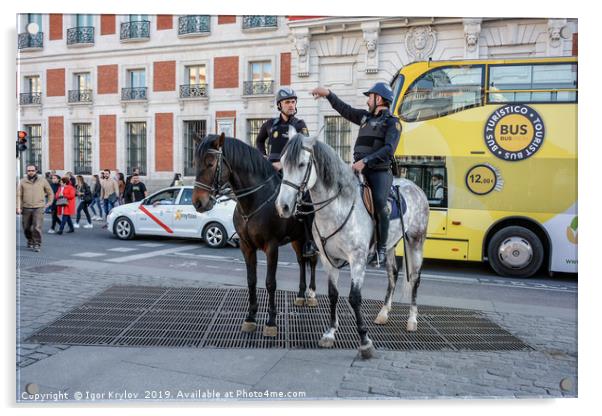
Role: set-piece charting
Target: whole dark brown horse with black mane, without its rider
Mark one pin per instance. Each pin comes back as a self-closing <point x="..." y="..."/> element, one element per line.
<point x="221" y="162"/>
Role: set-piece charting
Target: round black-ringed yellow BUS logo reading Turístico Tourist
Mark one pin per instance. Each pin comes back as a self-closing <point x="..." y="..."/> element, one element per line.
<point x="514" y="132"/>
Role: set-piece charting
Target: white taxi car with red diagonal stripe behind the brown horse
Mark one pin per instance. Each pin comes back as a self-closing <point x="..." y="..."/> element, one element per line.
<point x="169" y="212"/>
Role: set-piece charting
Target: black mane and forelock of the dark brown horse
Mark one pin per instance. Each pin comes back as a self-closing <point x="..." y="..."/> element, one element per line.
<point x="240" y="156"/>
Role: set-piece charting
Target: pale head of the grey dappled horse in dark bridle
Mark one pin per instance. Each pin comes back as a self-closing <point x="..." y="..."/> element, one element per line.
<point x="298" y="169"/>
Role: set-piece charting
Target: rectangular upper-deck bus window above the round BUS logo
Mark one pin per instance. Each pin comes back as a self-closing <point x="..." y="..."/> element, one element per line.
<point x="533" y="83"/>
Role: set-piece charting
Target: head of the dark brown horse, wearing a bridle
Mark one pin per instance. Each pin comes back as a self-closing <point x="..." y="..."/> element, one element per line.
<point x="211" y="171"/>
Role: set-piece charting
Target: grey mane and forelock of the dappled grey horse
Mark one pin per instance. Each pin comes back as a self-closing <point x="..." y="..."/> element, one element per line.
<point x="331" y="169"/>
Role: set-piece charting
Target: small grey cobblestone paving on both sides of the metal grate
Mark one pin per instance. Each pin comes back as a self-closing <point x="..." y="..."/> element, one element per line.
<point x="548" y="371"/>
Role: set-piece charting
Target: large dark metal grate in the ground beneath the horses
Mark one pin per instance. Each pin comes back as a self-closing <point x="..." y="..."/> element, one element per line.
<point x="211" y="318"/>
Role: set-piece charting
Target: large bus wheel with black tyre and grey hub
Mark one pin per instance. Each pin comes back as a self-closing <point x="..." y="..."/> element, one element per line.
<point x="515" y="252"/>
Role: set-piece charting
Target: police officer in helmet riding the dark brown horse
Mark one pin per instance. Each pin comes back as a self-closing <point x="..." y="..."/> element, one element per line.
<point x="275" y="131"/>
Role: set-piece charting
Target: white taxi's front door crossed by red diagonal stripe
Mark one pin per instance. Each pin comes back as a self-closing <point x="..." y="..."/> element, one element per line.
<point x="155" y="214"/>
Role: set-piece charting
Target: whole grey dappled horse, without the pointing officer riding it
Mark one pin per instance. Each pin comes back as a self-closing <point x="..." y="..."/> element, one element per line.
<point x="343" y="228"/>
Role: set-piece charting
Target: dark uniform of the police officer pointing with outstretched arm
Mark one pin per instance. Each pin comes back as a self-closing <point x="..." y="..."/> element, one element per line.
<point x="375" y="145"/>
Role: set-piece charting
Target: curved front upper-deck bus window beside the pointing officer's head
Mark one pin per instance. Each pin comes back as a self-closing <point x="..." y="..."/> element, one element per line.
<point x="442" y="91"/>
